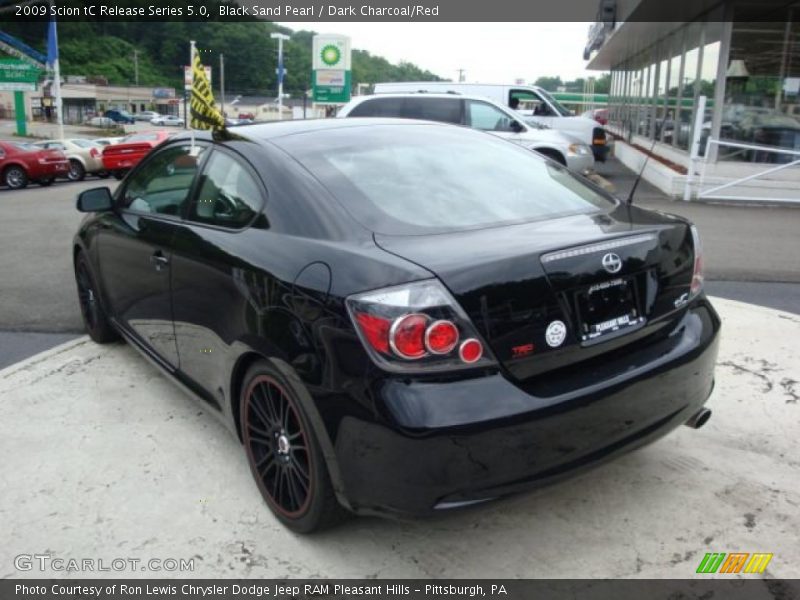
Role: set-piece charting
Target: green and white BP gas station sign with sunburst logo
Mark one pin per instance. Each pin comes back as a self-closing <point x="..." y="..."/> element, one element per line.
<point x="331" y="80"/>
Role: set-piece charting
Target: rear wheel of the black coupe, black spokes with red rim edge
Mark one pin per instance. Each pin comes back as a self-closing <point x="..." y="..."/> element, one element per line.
<point x="284" y="454"/>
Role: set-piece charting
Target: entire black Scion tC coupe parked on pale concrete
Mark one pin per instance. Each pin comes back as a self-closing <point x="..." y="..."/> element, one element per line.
<point x="399" y="317"/>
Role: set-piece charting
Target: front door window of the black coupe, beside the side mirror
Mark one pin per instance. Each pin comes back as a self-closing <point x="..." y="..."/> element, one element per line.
<point x="162" y="185"/>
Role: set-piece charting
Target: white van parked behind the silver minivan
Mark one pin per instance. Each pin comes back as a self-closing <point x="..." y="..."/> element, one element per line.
<point x="528" y="100"/>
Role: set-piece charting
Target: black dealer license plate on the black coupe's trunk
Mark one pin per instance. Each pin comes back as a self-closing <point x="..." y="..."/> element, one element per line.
<point x="608" y="307"/>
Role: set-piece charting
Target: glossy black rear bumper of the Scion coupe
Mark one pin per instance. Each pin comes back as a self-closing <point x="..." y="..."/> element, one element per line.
<point x="445" y="444"/>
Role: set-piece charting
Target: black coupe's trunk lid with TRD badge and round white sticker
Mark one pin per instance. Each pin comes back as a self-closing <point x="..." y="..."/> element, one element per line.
<point x="539" y="293"/>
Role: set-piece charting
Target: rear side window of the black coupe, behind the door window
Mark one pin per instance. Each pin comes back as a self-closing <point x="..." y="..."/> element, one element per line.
<point x="229" y="195"/>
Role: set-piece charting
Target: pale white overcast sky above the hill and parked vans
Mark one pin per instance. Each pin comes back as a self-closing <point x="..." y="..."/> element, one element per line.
<point x="488" y="52"/>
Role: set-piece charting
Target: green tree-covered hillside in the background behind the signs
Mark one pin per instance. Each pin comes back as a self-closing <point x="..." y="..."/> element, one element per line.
<point x="106" y="50"/>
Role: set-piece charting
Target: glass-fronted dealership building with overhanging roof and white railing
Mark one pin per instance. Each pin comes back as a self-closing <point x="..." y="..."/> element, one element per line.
<point x="716" y="96"/>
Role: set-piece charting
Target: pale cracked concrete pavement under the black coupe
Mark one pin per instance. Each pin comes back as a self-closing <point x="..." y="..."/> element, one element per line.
<point x="105" y="458"/>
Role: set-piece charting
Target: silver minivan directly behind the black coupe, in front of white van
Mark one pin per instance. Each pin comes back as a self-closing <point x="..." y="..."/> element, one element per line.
<point x="479" y="113"/>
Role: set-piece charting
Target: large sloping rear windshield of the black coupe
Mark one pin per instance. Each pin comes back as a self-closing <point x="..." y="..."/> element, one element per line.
<point x="417" y="179"/>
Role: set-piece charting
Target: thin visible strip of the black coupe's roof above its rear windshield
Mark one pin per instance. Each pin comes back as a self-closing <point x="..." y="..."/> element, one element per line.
<point x="278" y="129"/>
